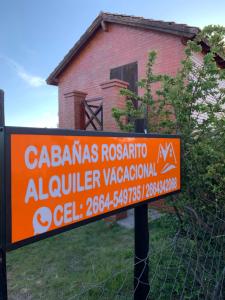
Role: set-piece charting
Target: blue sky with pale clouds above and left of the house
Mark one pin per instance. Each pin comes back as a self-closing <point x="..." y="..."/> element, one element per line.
<point x="35" y="35"/>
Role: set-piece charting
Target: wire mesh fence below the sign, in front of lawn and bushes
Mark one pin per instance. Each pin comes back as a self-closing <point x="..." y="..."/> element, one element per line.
<point x="186" y="261"/>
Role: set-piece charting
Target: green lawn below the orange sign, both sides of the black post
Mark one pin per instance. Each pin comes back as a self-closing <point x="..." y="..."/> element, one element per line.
<point x="91" y="262"/>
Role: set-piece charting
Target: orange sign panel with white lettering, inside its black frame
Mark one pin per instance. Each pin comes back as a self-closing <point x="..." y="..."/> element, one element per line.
<point x="61" y="180"/>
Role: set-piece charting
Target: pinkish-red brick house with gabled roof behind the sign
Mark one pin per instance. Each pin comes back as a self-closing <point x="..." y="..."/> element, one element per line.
<point x="112" y="54"/>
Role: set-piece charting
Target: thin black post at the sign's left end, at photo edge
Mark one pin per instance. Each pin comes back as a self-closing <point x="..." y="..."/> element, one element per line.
<point x="3" y="276"/>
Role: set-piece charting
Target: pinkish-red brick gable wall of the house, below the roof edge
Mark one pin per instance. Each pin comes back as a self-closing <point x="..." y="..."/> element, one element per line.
<point x="118" y="46"/>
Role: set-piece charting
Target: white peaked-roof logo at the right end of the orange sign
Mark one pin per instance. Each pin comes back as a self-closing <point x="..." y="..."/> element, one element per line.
<point x="167" y="155"/>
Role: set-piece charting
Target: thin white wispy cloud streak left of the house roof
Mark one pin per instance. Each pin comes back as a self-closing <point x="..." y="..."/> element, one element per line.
<point x="30" y="79"/>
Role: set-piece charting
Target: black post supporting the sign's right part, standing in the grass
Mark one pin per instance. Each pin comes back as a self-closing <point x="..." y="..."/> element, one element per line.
<point x="141" y="236"/>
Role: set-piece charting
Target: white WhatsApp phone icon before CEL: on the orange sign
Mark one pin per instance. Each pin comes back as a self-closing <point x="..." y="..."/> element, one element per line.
<point x="42" y="220"/>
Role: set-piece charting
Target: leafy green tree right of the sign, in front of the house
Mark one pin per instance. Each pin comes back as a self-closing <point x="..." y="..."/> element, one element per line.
<point x="192" y="103"/>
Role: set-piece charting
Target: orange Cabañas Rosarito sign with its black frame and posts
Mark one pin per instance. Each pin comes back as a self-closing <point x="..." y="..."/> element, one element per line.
<point x="71" y="178"/>
